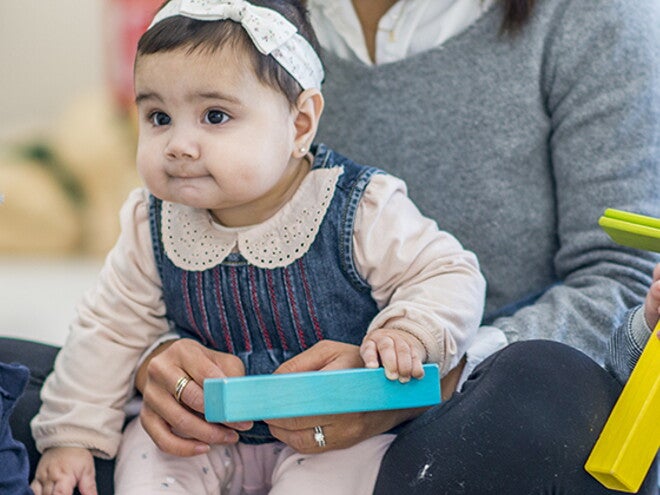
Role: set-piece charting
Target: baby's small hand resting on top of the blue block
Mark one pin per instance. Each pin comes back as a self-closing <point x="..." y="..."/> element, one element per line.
<point x="400" y="353"/>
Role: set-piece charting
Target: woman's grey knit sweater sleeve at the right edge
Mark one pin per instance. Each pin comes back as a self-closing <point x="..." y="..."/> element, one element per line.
<point x="601" y="81"/>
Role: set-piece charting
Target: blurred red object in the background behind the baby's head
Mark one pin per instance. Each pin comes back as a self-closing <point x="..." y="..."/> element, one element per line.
<point x="125" y="21"/>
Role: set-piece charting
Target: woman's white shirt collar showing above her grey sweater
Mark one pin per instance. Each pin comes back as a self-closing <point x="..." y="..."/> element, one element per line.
<point x="408" y="28"/>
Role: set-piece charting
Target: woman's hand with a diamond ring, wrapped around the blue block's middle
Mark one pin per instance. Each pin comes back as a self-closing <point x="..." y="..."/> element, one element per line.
<point x="340" y="430"/>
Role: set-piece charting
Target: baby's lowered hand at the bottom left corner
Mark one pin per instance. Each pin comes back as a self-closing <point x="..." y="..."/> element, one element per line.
<point x="62" y="469"/>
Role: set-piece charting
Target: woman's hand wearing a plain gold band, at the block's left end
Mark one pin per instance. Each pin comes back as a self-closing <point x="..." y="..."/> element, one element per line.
<point x="176" y="429"/>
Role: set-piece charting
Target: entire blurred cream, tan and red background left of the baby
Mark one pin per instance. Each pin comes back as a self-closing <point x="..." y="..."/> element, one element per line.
<point x="67" y="141"/>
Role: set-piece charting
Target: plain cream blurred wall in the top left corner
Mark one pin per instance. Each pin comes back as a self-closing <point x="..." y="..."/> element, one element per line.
<point x="50" y="50"/>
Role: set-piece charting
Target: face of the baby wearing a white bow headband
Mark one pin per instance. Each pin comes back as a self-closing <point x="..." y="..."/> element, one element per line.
<point x="212" y="135"/>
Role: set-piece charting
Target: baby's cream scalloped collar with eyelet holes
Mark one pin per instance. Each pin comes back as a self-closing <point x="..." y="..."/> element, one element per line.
<point x="193" y="241"/>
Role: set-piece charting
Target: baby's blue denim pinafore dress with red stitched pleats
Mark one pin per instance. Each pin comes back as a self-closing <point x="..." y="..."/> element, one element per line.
<point x="265" y="316"/>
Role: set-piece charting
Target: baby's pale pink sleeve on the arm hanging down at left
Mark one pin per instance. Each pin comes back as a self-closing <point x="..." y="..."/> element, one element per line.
<point x="116" y="321"/>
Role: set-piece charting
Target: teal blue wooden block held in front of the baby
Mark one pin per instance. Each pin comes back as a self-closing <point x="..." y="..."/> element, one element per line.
<point x="252" y="398"/>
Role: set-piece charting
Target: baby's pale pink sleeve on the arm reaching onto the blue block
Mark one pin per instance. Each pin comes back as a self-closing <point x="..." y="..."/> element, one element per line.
<point x="422" y="279"/>
